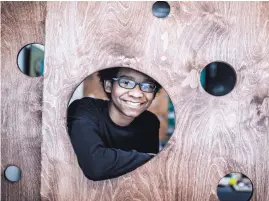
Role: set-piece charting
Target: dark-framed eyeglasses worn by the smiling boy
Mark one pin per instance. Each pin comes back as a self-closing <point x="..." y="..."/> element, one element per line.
<point x="130" y="84"/>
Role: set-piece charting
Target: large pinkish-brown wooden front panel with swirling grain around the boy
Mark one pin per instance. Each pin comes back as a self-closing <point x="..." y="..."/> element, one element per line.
<point x="213" y="135"/>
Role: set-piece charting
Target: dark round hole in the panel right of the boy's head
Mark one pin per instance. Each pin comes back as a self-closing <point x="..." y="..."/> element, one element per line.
<point x="218" y="78"/>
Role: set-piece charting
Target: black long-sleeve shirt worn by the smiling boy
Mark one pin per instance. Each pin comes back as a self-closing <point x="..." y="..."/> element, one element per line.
<point x="104" y="149"/>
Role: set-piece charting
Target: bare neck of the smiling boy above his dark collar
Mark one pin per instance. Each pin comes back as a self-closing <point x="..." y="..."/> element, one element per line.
<point x="117" y="117"/>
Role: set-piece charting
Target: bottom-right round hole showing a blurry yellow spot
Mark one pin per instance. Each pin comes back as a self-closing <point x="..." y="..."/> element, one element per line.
<point x="235" y="187"/>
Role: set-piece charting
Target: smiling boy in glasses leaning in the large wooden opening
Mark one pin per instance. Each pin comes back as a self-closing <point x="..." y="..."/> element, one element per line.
<point x="111" y="138"/>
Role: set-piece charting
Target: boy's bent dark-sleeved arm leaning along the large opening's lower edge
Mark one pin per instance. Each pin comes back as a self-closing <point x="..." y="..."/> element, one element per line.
<point x="96" y="161"/>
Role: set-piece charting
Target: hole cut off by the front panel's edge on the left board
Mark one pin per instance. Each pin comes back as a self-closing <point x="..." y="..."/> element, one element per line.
<point x="31" y="60"/>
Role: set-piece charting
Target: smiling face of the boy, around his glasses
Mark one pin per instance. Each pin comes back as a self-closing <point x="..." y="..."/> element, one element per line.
<point x="130" y="102"/>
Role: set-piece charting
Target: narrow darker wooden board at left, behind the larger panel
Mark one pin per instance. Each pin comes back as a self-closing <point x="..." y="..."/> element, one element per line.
<point x="21" y="100"/>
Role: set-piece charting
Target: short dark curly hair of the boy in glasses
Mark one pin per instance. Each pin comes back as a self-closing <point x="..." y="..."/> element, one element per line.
<point x="109" y="73"/>
